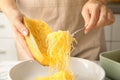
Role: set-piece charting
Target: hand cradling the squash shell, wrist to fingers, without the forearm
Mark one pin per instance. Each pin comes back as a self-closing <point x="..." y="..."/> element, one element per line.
<point x="20" y="31"/>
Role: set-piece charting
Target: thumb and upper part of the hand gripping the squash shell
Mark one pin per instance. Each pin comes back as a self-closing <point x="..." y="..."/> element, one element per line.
<point x="16" y="19"/>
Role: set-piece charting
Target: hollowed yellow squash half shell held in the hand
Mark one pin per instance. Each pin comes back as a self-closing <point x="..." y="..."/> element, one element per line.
<point x="36" y="40"/>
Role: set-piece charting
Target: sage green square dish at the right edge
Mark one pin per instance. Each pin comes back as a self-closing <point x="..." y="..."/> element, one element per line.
<point x="110" y="61"/>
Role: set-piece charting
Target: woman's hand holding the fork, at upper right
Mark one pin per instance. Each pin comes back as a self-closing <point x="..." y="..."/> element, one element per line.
<point x="96" y="14"/>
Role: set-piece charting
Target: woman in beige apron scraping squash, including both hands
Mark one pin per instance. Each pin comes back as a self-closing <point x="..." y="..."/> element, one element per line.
<point x="64" y="15"/>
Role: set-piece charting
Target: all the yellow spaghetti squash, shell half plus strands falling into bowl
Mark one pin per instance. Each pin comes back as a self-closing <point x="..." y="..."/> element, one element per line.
<point x="50" y="48"/>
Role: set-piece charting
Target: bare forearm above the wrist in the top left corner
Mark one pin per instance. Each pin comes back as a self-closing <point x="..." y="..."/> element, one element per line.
<point x="7" y="5"/>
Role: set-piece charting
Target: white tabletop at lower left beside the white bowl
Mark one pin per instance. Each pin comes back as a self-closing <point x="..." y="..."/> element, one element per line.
<point x="5" y="66"/>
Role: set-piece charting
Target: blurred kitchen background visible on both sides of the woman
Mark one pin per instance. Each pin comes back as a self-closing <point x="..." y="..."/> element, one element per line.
<point x="7" y="45"/>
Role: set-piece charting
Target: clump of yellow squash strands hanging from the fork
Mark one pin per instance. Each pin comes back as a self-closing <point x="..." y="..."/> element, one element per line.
<point x="59" y="46"/>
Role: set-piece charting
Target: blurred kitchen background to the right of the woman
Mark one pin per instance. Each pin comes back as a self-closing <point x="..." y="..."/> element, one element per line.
<point x="112" y="32"/>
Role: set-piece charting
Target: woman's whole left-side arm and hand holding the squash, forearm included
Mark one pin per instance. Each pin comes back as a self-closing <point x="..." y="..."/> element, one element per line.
<point x="9" y="7"/>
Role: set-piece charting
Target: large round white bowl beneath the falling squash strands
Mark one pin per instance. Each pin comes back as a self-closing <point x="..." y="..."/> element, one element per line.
<point x="82" y="68"/>
